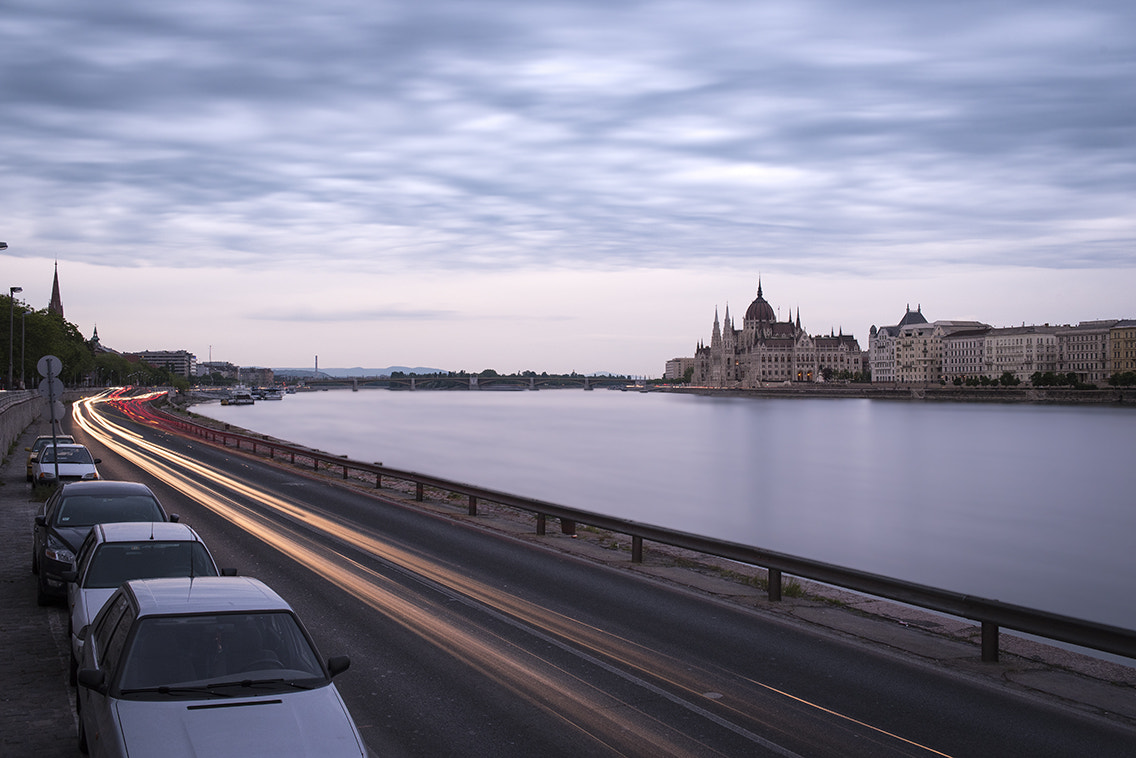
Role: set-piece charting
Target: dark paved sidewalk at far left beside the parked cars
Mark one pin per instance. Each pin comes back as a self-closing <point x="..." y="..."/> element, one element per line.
<point x="37" y="717"/>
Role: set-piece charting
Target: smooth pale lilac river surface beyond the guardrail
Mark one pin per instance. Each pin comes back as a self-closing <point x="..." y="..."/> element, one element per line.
<point x="1031" y="505"/>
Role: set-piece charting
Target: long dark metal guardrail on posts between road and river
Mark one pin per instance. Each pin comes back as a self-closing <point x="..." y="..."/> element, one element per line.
<point x="992" y="615"/>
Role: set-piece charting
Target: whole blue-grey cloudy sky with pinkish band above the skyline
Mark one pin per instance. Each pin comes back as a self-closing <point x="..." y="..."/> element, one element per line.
<point x="561" y="186"/>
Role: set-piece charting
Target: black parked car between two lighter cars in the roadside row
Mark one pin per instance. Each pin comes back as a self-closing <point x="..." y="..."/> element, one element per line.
<point x="70" y="514"/>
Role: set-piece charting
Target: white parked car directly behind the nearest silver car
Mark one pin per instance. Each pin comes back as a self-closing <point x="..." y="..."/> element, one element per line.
<point x="113" y="554"/>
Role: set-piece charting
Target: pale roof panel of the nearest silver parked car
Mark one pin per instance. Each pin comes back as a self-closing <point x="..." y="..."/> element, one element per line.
<point x="203" y="595"/>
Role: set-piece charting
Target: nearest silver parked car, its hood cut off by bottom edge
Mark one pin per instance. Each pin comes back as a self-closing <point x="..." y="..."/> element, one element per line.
<point x="213" y="667"/>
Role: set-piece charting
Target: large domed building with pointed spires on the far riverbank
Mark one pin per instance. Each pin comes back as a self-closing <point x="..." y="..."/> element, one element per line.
<point x="766" y="351"/>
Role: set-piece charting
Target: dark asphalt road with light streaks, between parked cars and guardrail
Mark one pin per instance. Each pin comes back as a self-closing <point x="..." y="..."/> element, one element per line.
<point x="471" y="643"/>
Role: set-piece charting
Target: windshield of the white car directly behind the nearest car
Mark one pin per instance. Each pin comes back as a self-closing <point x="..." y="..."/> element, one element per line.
<point x="115" y="563"/>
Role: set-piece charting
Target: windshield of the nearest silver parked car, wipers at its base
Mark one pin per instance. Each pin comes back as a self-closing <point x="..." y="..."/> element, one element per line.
<point x="201" y="651"/>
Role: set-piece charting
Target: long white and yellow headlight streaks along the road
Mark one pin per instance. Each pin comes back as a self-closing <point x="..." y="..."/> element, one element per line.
<point x="575" y="702"/>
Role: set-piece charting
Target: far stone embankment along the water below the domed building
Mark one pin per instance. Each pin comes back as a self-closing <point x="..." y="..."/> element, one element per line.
<point x="930" y="394"/>
